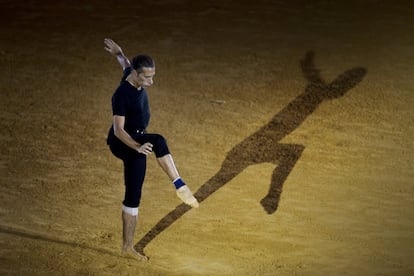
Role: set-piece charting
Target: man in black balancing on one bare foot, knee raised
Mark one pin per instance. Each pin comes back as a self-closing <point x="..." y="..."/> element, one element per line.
<point x="129" y="141"/>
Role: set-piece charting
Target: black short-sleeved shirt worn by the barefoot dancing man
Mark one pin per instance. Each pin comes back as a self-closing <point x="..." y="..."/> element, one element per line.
<point x="131" y="103"/>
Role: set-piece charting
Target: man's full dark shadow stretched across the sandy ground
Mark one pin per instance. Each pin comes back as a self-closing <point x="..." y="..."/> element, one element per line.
<point x="263" y="146"/>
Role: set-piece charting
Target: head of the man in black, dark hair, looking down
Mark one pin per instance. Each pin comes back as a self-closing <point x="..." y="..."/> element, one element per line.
<point x="144" y="68"/>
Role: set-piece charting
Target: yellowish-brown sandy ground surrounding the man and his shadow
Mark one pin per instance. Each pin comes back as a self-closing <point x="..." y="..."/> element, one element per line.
<point x="224" y="70"/>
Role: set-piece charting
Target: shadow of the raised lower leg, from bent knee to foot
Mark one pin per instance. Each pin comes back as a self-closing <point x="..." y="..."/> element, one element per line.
<point x="286" y="157"/>
